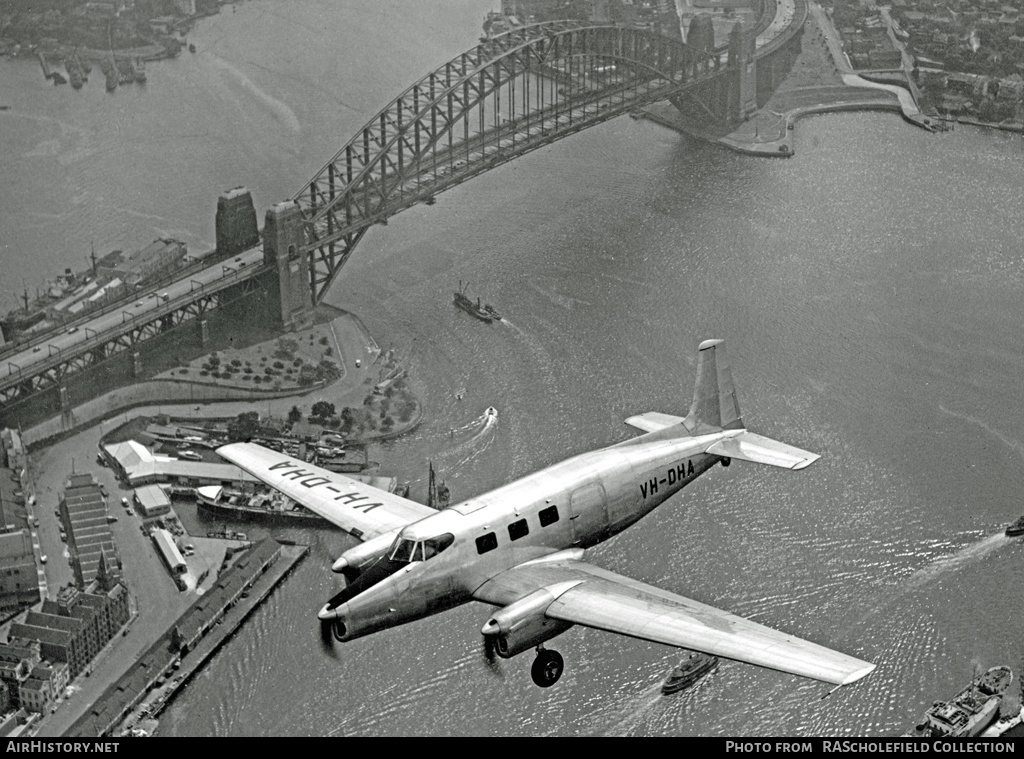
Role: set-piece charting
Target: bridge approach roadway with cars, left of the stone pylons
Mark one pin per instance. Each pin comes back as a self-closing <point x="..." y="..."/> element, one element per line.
<point x="54" y="351"/>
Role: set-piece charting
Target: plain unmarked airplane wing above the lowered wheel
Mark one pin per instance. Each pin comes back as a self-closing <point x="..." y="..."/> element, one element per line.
<point x="588" y="596"/>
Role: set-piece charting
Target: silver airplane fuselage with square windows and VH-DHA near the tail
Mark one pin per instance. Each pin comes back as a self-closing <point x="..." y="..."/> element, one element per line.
<point x="575" y="504"/>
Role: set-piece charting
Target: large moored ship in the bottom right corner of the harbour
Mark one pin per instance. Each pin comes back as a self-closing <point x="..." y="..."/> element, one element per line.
<point x="971" y="711"/>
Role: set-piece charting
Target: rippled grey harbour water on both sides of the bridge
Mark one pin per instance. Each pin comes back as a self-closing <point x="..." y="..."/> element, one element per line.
<point x="869" y="290"/>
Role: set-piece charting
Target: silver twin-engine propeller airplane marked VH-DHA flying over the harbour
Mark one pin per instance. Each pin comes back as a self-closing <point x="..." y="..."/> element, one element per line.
<point x="522" y="547"/>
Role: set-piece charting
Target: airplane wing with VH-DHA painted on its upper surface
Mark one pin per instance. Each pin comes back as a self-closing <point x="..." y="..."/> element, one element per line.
<point x="360" y="510"/>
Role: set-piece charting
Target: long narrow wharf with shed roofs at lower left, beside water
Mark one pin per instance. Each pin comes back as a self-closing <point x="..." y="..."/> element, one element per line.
<point x="130" y="701"/>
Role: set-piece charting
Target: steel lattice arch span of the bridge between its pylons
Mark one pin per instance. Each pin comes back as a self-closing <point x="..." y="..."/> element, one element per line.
<point x="508" y="96"/>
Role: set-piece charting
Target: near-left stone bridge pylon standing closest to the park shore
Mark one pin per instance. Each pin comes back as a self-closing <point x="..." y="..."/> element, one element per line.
<point x="283" y="240"/>
